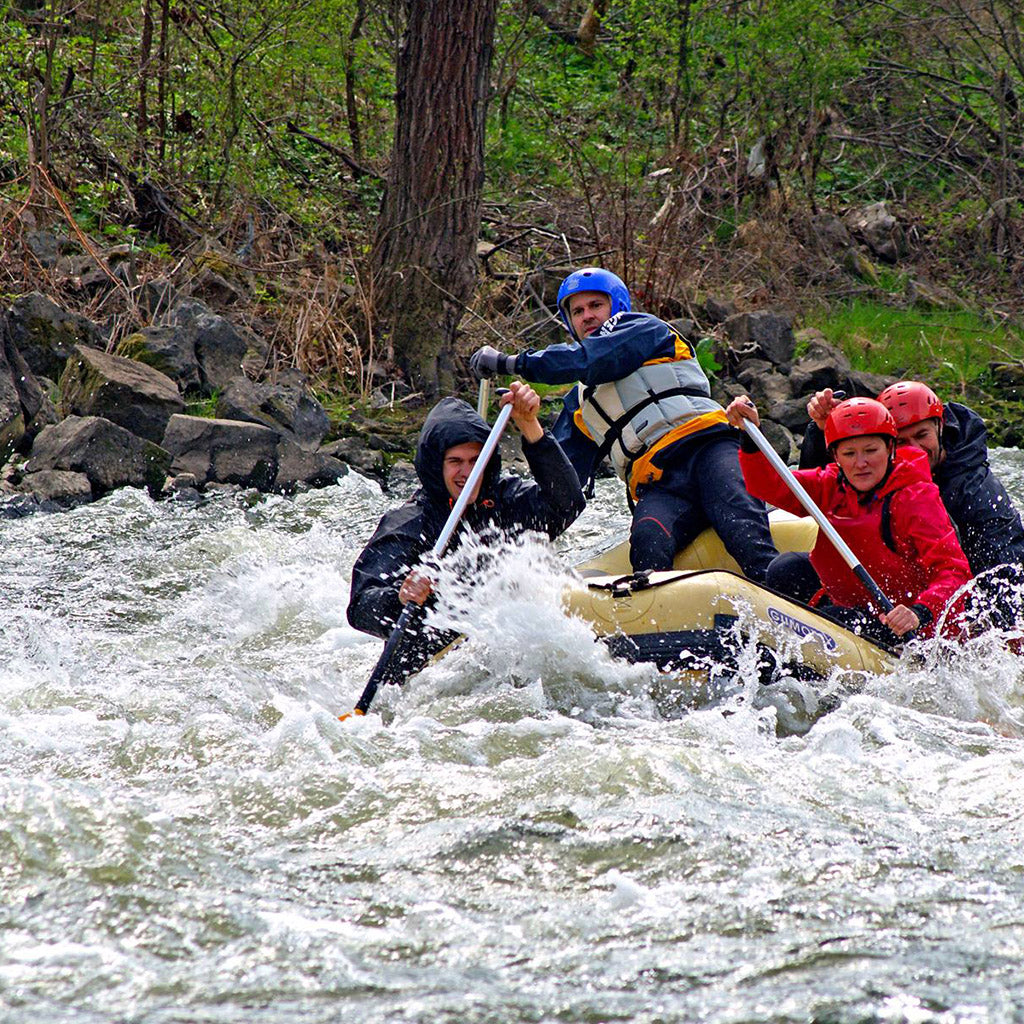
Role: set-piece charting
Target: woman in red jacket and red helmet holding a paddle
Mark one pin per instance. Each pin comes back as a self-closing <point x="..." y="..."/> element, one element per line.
<point x="883" y="503"/>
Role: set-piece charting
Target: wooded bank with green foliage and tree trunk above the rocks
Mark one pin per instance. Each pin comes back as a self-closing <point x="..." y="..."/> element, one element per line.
<point x="701" y="149"/>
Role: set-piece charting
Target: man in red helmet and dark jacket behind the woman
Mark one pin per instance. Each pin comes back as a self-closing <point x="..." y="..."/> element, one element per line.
<point x="954" y="439"/>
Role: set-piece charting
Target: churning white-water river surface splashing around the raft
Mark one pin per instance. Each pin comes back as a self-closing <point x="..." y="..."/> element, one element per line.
<point x="189" y="833"/>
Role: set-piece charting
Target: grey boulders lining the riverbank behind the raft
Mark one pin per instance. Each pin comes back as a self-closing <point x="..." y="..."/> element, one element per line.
<point x="78" y="420"/>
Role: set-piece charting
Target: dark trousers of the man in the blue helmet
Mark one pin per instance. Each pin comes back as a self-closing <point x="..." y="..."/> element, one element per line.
<point x="703" y="488"/>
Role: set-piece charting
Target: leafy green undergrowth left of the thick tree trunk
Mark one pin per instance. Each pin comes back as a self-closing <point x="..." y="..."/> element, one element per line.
<point x="218" y="109"/>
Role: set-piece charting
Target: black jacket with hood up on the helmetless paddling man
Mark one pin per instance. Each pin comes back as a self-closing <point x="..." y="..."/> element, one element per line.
<point x="507" y="504"/>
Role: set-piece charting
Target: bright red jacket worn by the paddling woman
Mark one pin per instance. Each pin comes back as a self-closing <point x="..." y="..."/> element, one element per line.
<point x="926" y="565"/>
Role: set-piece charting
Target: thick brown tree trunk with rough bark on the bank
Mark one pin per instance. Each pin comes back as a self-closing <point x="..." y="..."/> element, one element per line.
<point x="425" y="251"/>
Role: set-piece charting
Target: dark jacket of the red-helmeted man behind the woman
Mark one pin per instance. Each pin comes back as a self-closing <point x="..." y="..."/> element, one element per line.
<point x="989" y="525"/>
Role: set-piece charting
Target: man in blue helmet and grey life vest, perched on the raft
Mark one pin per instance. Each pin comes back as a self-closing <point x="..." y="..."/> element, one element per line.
<point x="644" y="402"/>
